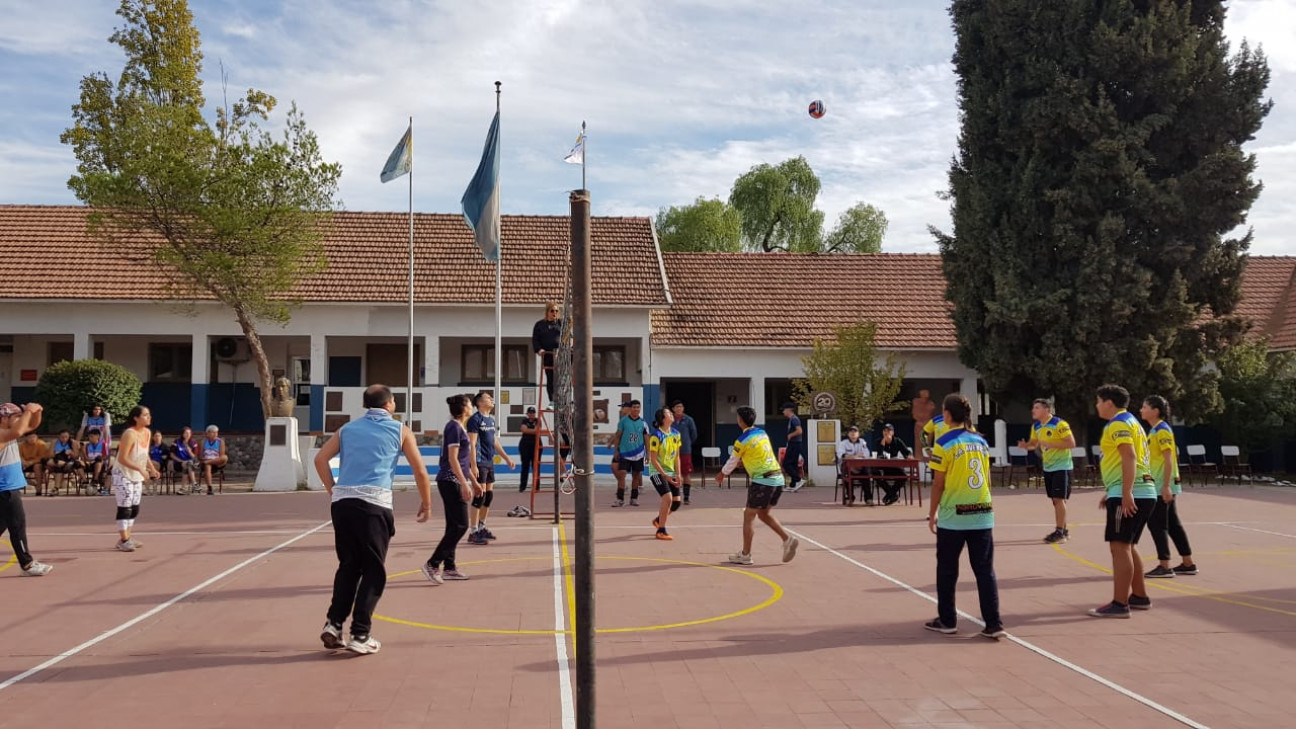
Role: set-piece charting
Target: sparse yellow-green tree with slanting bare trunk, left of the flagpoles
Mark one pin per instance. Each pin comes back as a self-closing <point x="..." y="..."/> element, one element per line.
<point x="240" y="213"/>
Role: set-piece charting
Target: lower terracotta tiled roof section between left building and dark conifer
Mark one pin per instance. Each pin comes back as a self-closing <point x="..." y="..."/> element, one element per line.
<point x="791" y="300"/>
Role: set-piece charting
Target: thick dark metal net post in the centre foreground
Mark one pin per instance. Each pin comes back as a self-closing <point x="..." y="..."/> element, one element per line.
<point x="583" y="457"/>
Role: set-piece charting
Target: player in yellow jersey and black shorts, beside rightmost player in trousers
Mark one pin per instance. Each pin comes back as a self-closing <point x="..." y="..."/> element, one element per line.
<point x="1129" y="500"/>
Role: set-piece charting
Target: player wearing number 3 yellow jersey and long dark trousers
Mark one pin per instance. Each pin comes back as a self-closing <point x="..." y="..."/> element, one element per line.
<point x="962" y="514"/>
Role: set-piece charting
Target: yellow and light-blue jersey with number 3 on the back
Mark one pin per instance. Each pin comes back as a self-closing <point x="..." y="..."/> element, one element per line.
<point x="965" y="459"/>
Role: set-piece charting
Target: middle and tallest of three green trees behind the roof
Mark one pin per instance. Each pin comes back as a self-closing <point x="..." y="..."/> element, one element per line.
<point x="777" y="204"/>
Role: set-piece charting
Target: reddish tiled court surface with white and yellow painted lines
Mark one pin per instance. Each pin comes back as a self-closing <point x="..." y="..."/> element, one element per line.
<point x="216" y="622"/>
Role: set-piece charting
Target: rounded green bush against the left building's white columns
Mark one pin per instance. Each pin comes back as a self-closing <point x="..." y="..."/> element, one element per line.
<point x="69" y="390"/>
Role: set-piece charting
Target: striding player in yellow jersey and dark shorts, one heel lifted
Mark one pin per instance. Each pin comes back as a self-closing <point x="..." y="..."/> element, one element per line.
<point x="756" y="455"/>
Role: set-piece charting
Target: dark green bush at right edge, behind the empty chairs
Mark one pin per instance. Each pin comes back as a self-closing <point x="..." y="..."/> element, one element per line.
<point x="1259" y="392"/>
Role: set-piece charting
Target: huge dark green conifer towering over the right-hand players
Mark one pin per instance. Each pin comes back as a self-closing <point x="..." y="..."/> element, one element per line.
<point x="1100" y="171"/>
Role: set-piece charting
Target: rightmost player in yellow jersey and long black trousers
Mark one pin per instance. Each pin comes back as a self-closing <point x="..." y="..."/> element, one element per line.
<point x="1164" y="523"/>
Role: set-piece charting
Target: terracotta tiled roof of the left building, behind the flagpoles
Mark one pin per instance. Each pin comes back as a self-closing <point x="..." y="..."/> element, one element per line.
<point x="369" y="260"/>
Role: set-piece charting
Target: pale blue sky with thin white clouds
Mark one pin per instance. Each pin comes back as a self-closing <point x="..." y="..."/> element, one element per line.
<point x="681" y="98"/>
